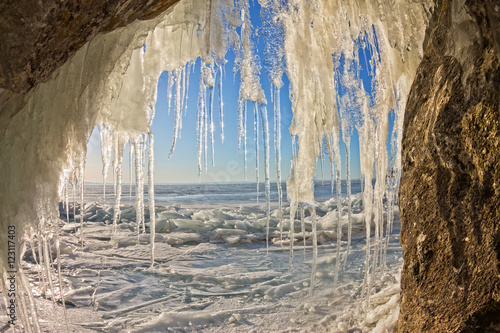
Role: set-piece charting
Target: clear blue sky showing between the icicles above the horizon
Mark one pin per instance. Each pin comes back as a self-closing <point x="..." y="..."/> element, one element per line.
<point x="182" y="166"/>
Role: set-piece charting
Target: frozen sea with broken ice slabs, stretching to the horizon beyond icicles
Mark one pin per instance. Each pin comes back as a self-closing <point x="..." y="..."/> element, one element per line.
<point x="213" y="271"/>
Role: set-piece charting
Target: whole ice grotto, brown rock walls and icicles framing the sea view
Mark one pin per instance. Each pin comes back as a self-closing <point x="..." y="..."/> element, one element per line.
<point x="66" y="67"/>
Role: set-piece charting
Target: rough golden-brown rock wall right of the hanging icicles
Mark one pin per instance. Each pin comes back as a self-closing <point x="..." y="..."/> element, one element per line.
<point x="450" y="187"/>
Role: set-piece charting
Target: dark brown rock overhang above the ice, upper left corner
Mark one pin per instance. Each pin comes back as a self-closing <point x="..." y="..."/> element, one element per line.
<point x="40" y="35"/>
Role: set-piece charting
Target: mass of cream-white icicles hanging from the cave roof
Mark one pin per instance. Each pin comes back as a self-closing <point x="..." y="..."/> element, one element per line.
<point x="321" y="45"/>
